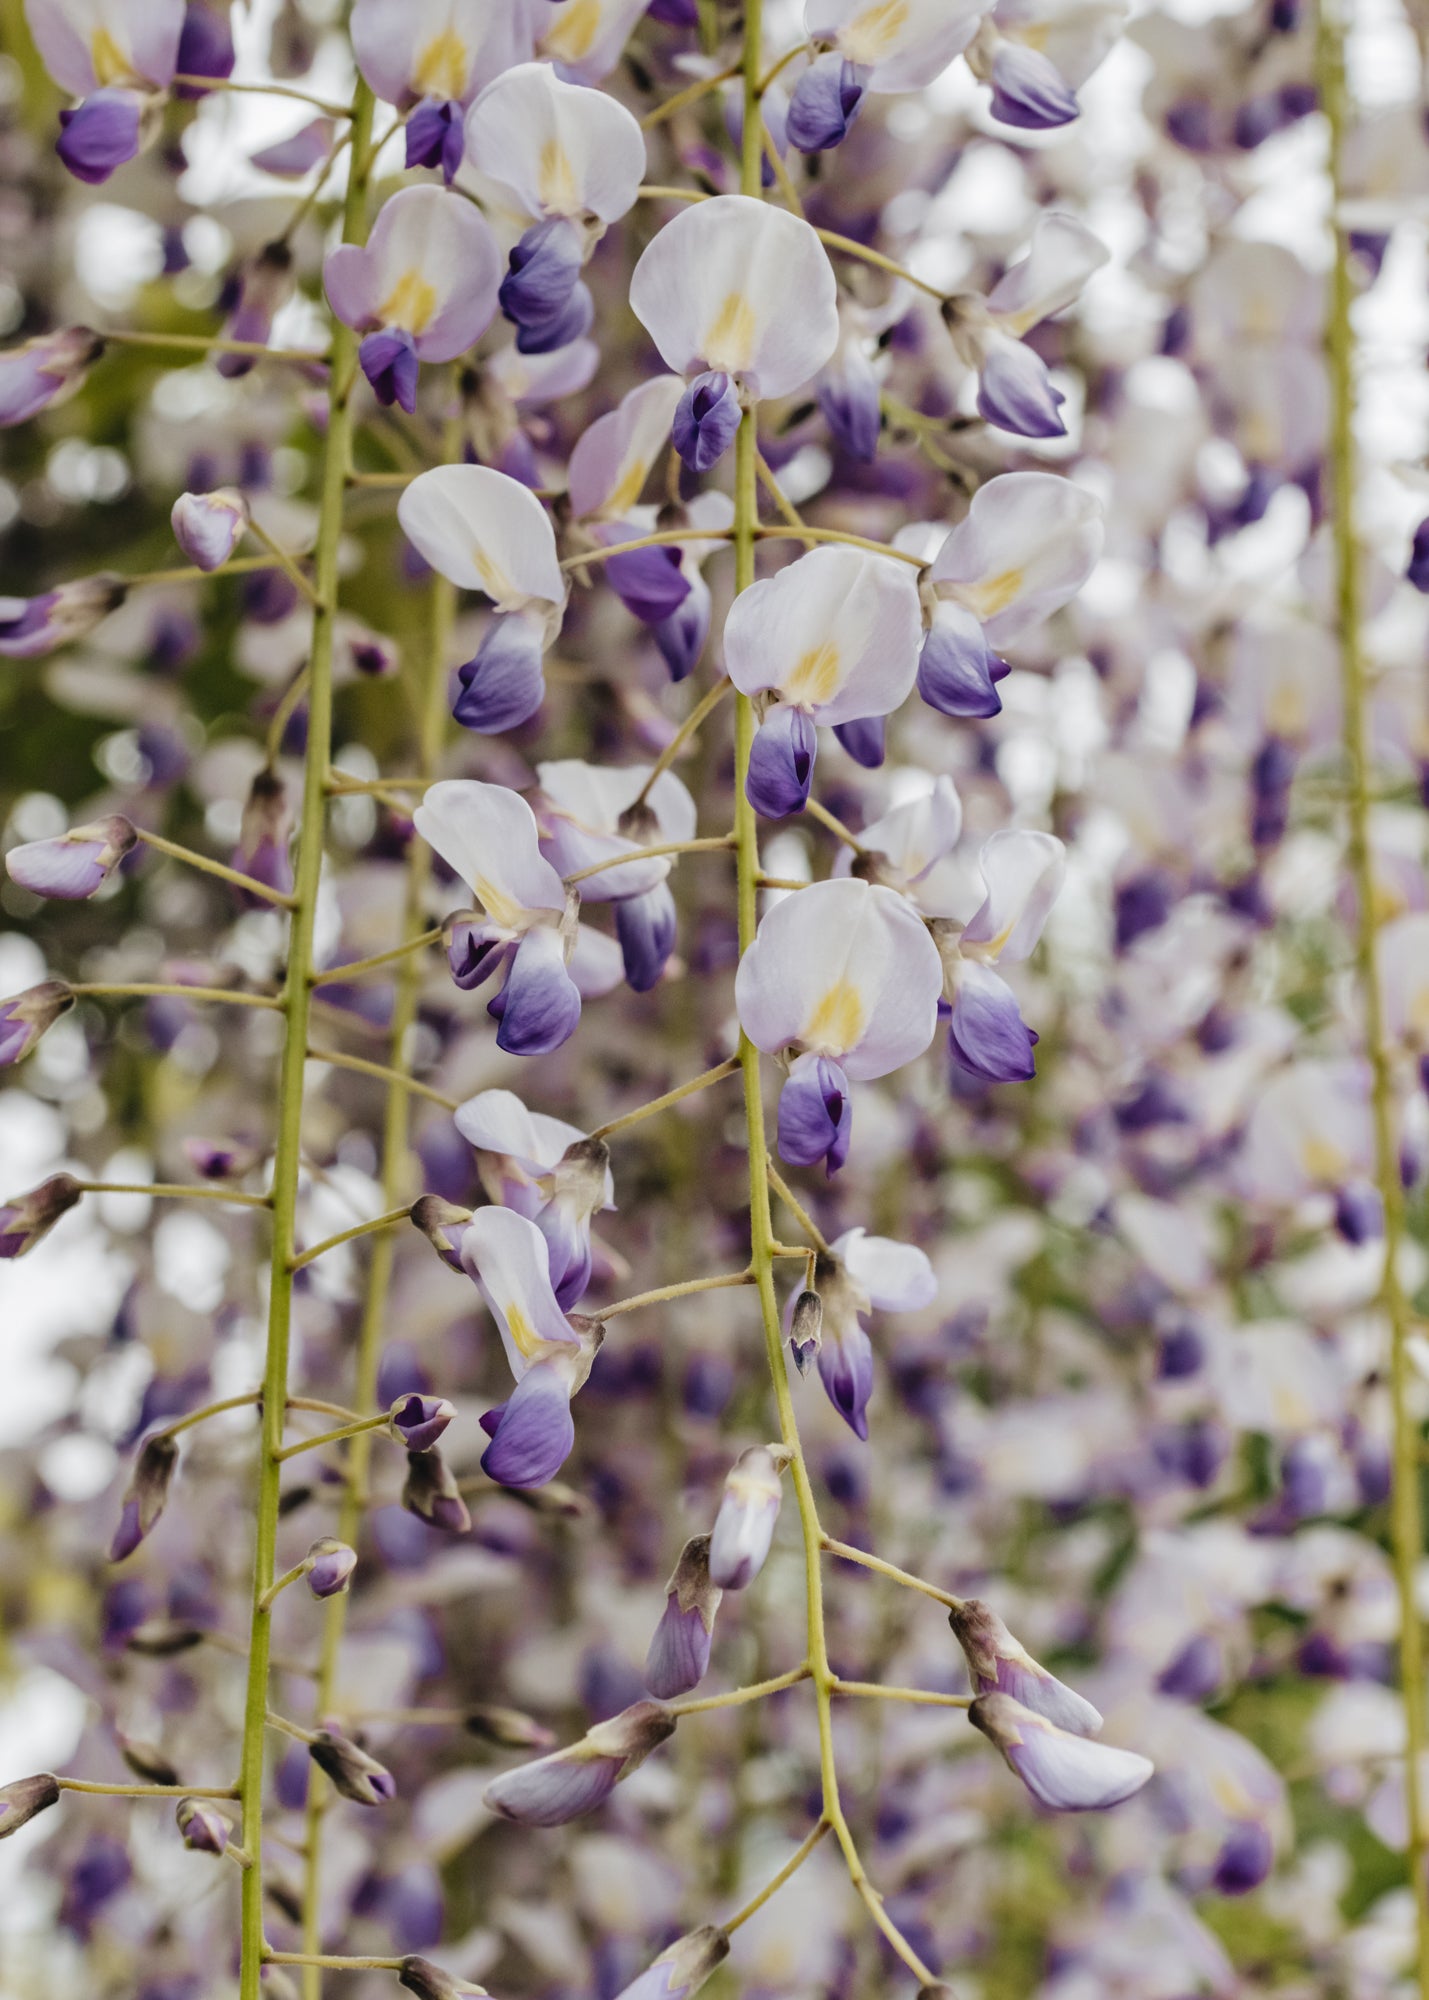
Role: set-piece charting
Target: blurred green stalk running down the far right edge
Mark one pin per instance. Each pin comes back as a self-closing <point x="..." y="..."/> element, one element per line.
<point x="1406" y="1511"/>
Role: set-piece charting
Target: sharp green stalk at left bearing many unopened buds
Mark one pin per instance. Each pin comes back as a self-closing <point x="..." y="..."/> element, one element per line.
<point x="295" y="1055"/>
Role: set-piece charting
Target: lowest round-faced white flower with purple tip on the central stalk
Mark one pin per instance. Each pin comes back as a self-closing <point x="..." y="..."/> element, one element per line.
<point x="844" y="983"/>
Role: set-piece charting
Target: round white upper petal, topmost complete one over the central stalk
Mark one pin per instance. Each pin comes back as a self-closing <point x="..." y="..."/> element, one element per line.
<point x="740" y="287"/>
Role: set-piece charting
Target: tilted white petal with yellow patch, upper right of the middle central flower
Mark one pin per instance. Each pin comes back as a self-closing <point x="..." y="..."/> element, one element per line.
<point x="1028" y="545"/>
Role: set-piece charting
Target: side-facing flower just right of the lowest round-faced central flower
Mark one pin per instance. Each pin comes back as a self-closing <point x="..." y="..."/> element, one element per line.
<point x="1024" y="875"/>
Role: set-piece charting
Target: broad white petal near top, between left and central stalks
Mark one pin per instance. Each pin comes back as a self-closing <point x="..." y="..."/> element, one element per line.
<point x="561" y="149"/>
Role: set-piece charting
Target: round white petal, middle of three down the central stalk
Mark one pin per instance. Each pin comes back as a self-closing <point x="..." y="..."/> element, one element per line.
<point x="838" y="633"/>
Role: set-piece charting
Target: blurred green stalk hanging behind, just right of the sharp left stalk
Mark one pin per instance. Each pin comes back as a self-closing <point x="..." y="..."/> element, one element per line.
<point x="395" y="1189"/>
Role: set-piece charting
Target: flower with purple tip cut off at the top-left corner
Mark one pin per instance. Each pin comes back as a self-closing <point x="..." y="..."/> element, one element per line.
<point x="119" y="59"/>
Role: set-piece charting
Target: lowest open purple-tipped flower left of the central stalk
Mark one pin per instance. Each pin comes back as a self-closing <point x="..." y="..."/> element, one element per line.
<point x="531" y="1437"/>
